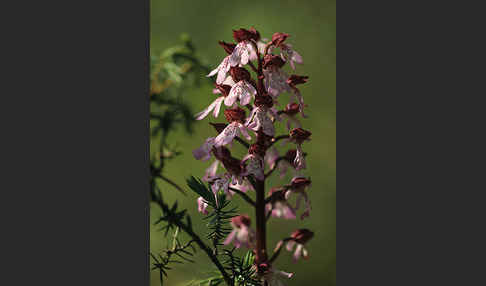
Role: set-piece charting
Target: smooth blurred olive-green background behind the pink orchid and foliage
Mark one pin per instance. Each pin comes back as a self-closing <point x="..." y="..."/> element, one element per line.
<point x="312" y="26"/>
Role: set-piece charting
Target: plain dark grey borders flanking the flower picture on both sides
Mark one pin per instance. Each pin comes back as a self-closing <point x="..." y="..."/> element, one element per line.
<point x="410" y="140"/>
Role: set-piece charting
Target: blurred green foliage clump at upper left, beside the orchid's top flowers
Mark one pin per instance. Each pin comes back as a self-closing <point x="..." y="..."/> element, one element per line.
<point x="172" y="73"/>
